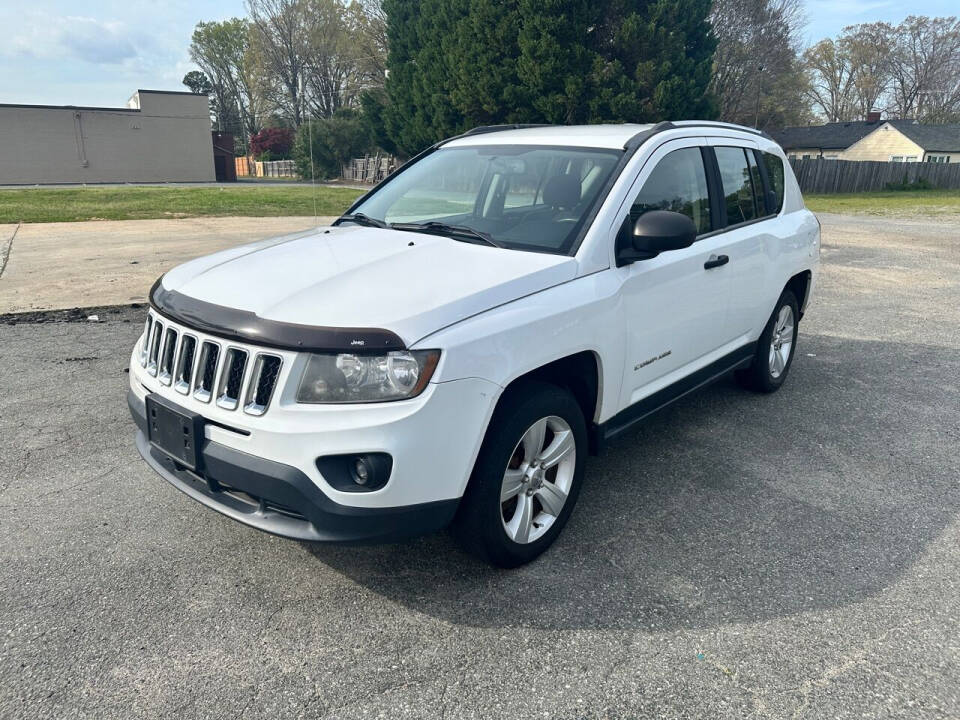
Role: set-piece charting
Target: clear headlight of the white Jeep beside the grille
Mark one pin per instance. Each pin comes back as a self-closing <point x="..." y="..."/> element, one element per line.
<point x="348" y="378"/>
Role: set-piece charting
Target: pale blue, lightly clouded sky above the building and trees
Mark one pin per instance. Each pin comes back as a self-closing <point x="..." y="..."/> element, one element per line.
<point x="98" y="52"/>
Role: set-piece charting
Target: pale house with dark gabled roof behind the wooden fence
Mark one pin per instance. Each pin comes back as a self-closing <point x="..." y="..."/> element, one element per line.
<point x="873" y="139"/>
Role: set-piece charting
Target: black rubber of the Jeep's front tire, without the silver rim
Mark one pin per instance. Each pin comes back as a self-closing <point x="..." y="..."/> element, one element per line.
<point x="480" y="521"/>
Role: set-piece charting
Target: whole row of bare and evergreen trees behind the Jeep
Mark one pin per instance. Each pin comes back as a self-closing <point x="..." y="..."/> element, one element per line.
<point x="326" y="80"/>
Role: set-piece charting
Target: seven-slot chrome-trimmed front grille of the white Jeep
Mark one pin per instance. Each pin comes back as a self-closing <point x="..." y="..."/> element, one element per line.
<point x="205" y="368"/>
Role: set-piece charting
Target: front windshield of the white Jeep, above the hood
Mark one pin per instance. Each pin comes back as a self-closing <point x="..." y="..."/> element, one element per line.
<point x="523" y="197"/>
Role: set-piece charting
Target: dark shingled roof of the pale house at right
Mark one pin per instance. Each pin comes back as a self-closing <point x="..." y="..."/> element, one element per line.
<point x="839" y="136"/>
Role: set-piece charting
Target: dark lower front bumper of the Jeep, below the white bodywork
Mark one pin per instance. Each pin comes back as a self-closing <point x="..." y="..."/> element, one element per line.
<point x="282" y="500"/>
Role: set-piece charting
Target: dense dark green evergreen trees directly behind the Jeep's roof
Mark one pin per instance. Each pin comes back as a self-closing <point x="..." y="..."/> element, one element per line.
<point x="455" y="64"/>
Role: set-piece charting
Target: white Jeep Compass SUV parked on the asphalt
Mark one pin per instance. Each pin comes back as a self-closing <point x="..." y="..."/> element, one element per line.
<point x="453" y="347"/>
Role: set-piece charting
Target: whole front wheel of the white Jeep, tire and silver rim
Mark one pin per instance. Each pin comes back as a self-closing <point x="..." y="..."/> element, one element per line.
<point x="492" y="527"/>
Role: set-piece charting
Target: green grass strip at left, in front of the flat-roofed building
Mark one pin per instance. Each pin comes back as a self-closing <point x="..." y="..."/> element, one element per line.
<point x="142" y="203"/>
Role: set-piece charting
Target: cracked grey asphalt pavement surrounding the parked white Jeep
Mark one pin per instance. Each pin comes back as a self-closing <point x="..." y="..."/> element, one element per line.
<point x="796" y="555"/>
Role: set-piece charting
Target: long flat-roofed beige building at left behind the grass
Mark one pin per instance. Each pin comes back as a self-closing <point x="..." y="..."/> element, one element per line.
<point x="158" y="137"/>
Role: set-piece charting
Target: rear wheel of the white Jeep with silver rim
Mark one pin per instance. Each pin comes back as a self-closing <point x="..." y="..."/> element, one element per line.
<point x="773" y="356"/>
